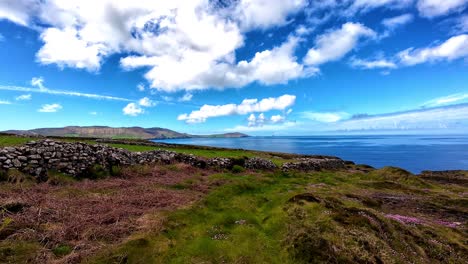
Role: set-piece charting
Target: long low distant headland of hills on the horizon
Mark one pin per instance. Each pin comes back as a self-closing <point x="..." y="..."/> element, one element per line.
<point x="115" y="132"/>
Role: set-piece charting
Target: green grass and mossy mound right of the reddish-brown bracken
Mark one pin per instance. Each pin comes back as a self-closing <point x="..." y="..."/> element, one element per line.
<point x="254" y="219"/>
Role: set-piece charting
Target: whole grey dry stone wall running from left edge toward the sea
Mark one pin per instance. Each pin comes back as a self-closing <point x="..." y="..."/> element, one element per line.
<point x="37" y="157"/>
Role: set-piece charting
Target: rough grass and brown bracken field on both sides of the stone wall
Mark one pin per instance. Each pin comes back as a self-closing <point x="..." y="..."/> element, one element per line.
<point x="180" y="214"/>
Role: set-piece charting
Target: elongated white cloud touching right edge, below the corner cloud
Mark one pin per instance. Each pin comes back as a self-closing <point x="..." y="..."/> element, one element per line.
<point x="454" y="48"/>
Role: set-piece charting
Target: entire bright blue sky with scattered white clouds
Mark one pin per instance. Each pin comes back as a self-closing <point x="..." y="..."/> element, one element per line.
<point x="261" y="67"/>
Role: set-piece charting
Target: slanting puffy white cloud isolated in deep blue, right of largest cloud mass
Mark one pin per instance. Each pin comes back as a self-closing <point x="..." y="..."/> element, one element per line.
<point x="335" y="44"/>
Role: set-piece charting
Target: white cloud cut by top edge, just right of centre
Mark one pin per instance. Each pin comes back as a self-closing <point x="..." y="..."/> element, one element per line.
<point x="266" y="13"/>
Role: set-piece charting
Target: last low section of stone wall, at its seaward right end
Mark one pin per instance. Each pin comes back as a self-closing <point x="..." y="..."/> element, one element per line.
<point x="314" y="164"/>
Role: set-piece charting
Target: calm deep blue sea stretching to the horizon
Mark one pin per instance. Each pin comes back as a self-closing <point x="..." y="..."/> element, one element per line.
<point x="413" y="153"/>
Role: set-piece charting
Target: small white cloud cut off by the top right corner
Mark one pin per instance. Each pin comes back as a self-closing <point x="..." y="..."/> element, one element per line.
<point x="434" y="8"/>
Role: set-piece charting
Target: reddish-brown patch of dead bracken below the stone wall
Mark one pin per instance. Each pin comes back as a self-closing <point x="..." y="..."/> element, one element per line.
<point x="86" y="215"/>
